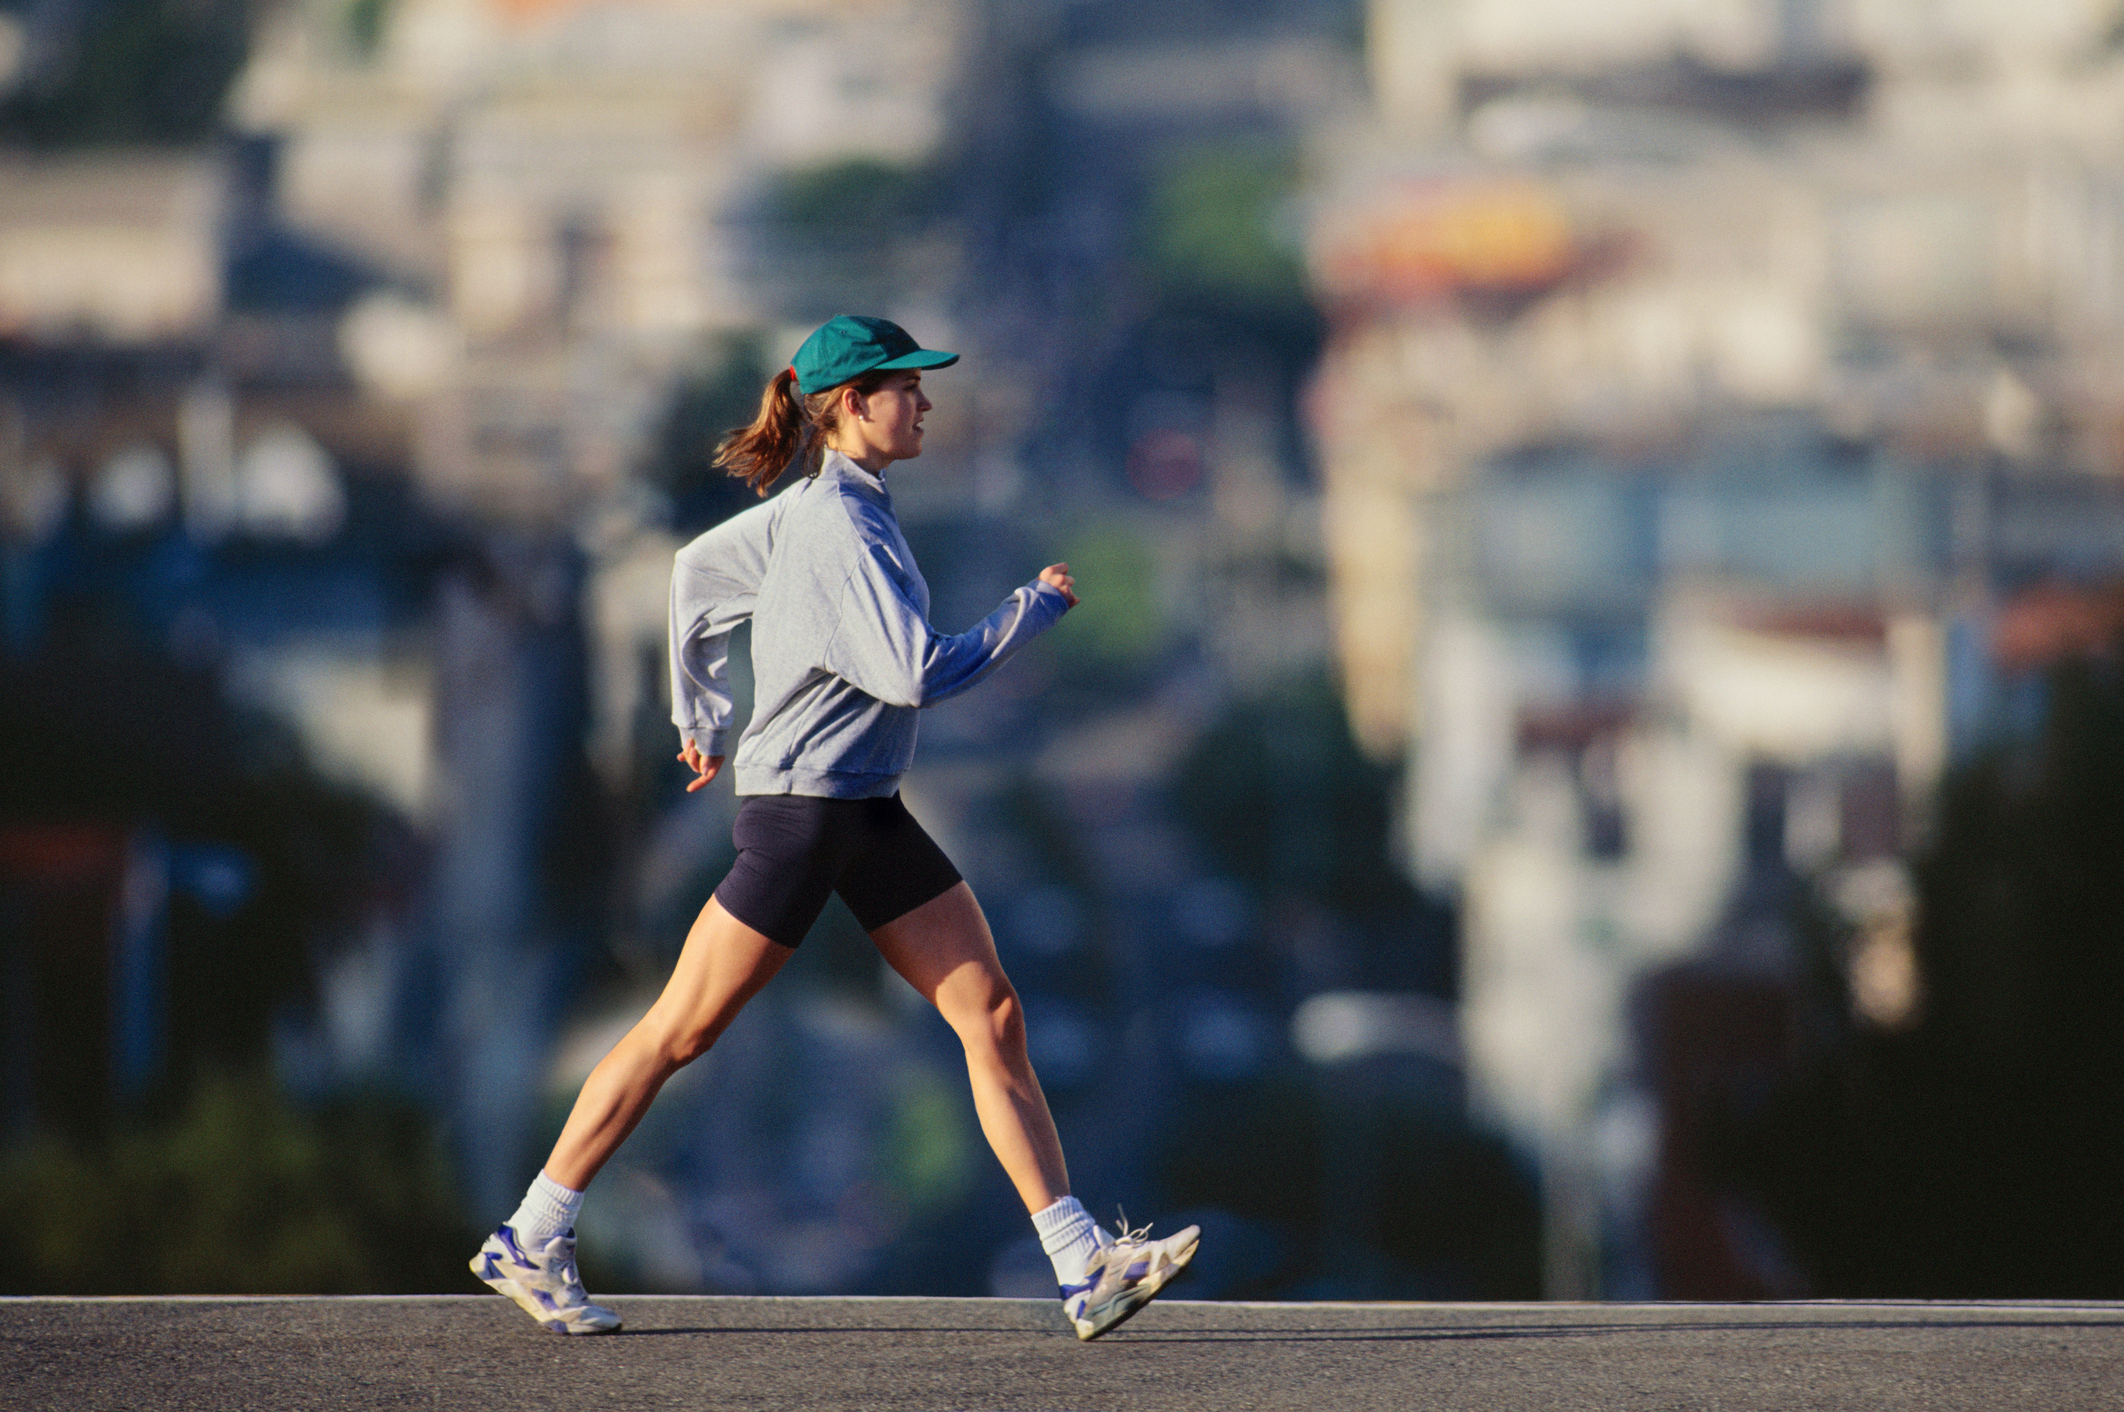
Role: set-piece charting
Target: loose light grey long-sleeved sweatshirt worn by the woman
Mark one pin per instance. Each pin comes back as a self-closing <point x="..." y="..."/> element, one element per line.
<point x="842" y="649"/>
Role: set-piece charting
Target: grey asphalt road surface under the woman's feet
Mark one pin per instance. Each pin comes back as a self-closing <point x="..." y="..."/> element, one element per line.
<point x="477" y="1351"/>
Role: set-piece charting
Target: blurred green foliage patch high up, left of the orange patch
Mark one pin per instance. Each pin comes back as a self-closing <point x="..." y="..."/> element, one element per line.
<point x="1216" y="230"/>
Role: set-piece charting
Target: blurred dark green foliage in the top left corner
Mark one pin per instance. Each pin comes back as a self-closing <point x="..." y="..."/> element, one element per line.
<point x="137" y="73"/>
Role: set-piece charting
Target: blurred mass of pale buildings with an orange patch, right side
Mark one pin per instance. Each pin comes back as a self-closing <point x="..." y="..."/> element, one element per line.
<point x="1702" y="385"/>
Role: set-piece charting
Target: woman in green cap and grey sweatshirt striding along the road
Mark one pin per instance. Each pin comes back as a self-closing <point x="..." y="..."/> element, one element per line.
<point x="842" y="655"/>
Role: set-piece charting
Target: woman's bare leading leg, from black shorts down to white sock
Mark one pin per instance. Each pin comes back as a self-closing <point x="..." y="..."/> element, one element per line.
<point x="946" y="952"/>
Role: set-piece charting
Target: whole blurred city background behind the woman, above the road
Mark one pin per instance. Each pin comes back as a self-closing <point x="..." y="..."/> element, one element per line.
<point x="1592" y="763"/>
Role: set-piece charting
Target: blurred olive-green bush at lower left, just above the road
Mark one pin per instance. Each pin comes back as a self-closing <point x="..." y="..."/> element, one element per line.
<point x="239" y="1192"/>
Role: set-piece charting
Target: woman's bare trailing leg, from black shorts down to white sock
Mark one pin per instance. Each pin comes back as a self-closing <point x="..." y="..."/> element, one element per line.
<point x="723" y="965"/>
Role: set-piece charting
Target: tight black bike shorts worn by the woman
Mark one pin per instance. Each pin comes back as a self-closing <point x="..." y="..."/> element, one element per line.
<point x="798" y="848"/>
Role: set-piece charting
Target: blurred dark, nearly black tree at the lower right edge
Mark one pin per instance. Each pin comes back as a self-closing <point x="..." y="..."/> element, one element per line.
<point x="1976" y="1152"/>
